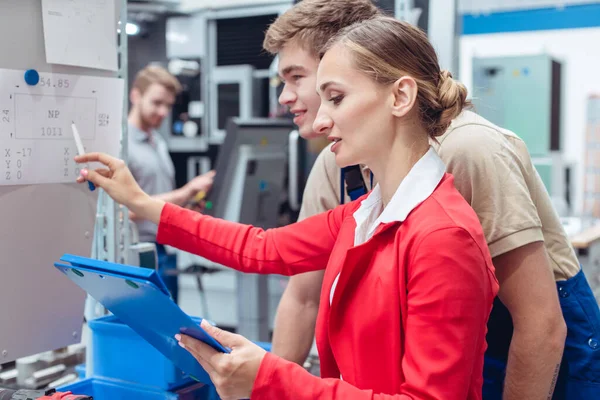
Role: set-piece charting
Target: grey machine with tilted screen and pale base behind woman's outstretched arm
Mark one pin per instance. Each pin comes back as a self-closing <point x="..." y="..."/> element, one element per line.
<point x="250" y="185"/>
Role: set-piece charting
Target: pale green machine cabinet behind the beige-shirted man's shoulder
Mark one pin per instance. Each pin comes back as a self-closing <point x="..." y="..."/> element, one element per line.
<point x="523" y="94"/>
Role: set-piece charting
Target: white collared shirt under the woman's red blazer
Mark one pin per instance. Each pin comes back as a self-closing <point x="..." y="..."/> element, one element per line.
<point x="418" y="185"/>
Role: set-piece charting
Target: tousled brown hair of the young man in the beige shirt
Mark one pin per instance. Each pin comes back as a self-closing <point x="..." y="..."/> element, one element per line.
<point x="311" y="23"/>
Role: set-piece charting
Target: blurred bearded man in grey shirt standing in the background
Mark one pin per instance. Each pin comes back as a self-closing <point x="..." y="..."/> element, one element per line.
<point x="152" y="97"/>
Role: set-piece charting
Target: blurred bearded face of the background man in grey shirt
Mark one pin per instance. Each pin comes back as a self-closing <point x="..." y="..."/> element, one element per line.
<point x="154" y="105"/>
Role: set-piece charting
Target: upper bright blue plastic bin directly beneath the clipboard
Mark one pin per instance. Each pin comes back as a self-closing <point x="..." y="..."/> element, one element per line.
<point x="120" y="353"/>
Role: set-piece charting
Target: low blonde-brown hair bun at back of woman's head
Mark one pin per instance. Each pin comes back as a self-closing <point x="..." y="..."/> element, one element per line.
<point x="452" y="98"/>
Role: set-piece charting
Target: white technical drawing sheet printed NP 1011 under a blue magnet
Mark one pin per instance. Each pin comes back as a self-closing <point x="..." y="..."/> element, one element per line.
<point x="36" y="141"/>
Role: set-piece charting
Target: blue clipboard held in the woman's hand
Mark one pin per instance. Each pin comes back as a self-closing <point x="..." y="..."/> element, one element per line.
<point x="140" y="299"/>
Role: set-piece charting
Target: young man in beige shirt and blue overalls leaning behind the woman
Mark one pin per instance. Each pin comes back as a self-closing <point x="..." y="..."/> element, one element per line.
<point x="493" y="171"/>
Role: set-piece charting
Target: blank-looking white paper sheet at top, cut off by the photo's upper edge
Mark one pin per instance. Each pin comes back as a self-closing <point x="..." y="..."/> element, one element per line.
<point x="81" y="33"/>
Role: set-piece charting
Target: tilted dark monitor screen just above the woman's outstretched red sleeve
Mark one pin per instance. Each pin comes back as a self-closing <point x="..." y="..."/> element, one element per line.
<point x="251" y="171"/>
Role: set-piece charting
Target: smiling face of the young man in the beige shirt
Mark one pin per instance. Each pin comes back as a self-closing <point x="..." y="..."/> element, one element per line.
<point x="298" y="71"/>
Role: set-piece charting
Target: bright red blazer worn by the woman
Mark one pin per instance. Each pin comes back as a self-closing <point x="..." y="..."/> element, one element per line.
<point x="409" y="314"/>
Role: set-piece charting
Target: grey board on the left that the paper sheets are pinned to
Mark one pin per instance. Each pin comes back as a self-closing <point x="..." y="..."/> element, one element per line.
<point x="40" y="310"/>
